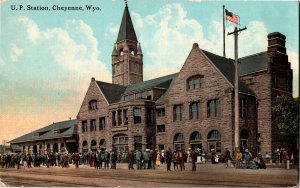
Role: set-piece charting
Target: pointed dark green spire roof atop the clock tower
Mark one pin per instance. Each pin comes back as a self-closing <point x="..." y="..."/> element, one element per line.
<point x="126" y="30"/>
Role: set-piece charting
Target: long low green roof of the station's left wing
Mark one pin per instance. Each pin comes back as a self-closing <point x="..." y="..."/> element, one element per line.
<point x="55" y="130"/>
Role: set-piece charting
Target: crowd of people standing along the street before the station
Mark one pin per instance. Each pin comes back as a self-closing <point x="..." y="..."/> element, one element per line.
<point x="147" y="159"/>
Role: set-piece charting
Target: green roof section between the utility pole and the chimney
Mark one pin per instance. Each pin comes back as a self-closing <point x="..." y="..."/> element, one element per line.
<point x="253" y="63"/>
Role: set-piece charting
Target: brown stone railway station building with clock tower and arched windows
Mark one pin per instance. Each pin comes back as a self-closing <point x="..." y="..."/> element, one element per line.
<point x="191" y="108"/>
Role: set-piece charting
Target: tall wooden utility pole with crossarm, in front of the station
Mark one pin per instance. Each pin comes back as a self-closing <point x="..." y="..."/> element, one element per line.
<point x="236" y="89"/>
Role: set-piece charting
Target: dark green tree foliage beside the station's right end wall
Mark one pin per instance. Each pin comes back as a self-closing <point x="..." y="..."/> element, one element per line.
<point x="285" y="111"/>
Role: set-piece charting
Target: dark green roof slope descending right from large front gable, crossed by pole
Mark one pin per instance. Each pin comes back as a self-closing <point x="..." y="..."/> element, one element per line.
<point x="226" y="66"/>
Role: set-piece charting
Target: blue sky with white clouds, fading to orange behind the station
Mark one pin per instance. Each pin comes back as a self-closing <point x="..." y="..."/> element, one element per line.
<point x="47" y="58"/>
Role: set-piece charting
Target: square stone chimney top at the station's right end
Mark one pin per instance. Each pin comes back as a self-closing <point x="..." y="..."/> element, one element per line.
<point x="276" y="43"/>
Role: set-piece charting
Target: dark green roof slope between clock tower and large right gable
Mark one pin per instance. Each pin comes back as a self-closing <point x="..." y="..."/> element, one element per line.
<point x="162" y="82"/>
